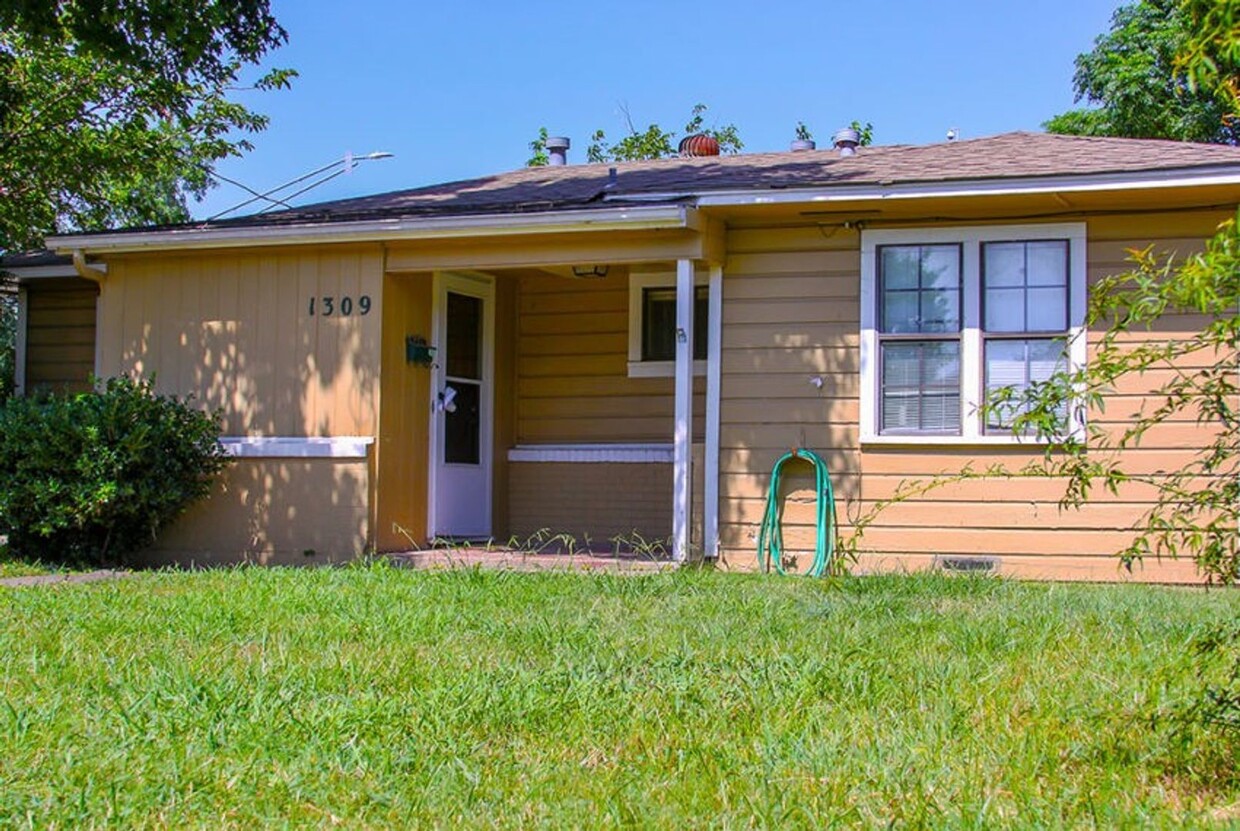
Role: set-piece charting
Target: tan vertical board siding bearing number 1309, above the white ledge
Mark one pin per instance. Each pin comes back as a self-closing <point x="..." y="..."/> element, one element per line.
<point x="235" y="331"/>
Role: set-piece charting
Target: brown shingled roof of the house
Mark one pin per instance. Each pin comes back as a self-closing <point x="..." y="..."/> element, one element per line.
<point x="1010" y="156"/>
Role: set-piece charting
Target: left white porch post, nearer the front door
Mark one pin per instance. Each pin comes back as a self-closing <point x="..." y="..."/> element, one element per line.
<point x="683" y="473"/>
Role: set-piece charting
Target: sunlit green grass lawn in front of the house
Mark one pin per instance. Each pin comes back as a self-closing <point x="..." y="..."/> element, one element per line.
<point x="379" y="698"/>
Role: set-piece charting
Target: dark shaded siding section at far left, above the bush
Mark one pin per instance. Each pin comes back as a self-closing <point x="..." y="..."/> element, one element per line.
<point x="60" y="336"/>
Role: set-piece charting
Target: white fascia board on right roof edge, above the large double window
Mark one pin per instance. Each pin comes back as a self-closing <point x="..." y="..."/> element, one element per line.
<point x="1148" y="179"/>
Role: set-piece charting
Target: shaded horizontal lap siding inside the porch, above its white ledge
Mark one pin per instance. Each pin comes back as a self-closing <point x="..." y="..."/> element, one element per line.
<point x="572" y="367"/>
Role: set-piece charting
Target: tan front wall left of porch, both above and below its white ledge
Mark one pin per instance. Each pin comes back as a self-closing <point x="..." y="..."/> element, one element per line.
<point x="235" y="331"/>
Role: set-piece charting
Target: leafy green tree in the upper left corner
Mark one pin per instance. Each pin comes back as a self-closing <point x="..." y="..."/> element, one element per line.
<point x="116" y="112"/>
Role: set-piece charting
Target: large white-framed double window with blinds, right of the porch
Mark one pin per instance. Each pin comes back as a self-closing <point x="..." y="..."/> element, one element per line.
<point x="952" y="316"/>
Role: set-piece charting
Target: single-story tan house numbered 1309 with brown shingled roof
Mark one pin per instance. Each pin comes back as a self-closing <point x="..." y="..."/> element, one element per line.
<point x="623" y="352"/>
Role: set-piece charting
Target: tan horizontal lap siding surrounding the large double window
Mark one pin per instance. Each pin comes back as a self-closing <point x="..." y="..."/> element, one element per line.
<point x="792" y="314"/>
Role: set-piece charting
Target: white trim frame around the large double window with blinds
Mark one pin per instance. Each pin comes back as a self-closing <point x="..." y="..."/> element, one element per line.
<point x="972" y="324"/>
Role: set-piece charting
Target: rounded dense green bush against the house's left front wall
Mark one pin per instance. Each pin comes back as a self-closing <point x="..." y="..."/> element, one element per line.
<point x="92" y="478"/>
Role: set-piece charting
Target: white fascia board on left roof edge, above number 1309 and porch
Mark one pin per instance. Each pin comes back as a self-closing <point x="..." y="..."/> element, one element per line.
<point x="490" y="225"/>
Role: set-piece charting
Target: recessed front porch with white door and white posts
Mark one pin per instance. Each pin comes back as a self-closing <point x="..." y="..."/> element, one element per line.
<point x="552" y="390"/>
